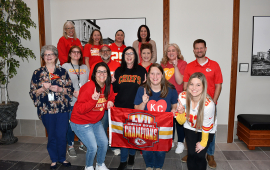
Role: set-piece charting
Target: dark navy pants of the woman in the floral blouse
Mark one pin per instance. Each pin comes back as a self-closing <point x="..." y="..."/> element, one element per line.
<point x="56" y="126"/>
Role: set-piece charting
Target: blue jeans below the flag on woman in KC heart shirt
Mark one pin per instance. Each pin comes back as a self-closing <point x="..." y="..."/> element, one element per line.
<point x="154" y="159"/>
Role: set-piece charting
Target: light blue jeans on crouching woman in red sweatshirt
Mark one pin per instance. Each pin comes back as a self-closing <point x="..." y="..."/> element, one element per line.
<point x="95" y="139"/>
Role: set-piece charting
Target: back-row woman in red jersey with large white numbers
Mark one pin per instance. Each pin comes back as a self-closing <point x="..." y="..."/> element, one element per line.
<point x="118" y="46"/>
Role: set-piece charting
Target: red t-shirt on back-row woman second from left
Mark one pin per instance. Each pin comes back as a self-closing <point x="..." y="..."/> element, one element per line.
<point x="92" y="51"/>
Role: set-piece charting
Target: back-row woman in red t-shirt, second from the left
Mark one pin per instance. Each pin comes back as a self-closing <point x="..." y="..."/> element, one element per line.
<point x="91" y="49"/>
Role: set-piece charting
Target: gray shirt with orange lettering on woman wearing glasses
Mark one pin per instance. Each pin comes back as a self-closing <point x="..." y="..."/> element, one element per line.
<point x="83" y="74"/>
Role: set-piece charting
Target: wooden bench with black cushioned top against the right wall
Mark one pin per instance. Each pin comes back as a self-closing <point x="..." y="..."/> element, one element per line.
<point x="254" y="130"/>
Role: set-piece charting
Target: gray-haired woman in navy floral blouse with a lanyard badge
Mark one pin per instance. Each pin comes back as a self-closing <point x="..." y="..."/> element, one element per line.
<point x="51" y="91"/>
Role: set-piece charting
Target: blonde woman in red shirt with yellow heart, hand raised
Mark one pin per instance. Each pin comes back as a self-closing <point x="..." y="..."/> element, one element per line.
<point x="174" y="66"/>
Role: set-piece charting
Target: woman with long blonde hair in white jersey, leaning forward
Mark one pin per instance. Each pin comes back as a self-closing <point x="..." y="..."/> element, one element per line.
<point x="196" y="110"/>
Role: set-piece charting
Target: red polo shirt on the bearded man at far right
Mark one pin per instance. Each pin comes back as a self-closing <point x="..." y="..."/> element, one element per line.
<point x="211" y="70"/>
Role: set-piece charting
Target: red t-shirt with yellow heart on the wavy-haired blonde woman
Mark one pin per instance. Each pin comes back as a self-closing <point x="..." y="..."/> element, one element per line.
<point x="169" y="73"/>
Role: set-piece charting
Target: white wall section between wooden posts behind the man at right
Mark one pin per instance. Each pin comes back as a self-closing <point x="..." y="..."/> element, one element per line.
<point x="212" y="21"/>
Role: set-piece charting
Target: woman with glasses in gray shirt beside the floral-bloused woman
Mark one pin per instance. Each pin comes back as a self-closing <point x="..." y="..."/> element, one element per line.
<point x="78" y="73"/>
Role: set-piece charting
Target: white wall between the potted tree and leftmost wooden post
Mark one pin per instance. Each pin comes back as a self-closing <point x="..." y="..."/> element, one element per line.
<point x="20" y="85"/>
